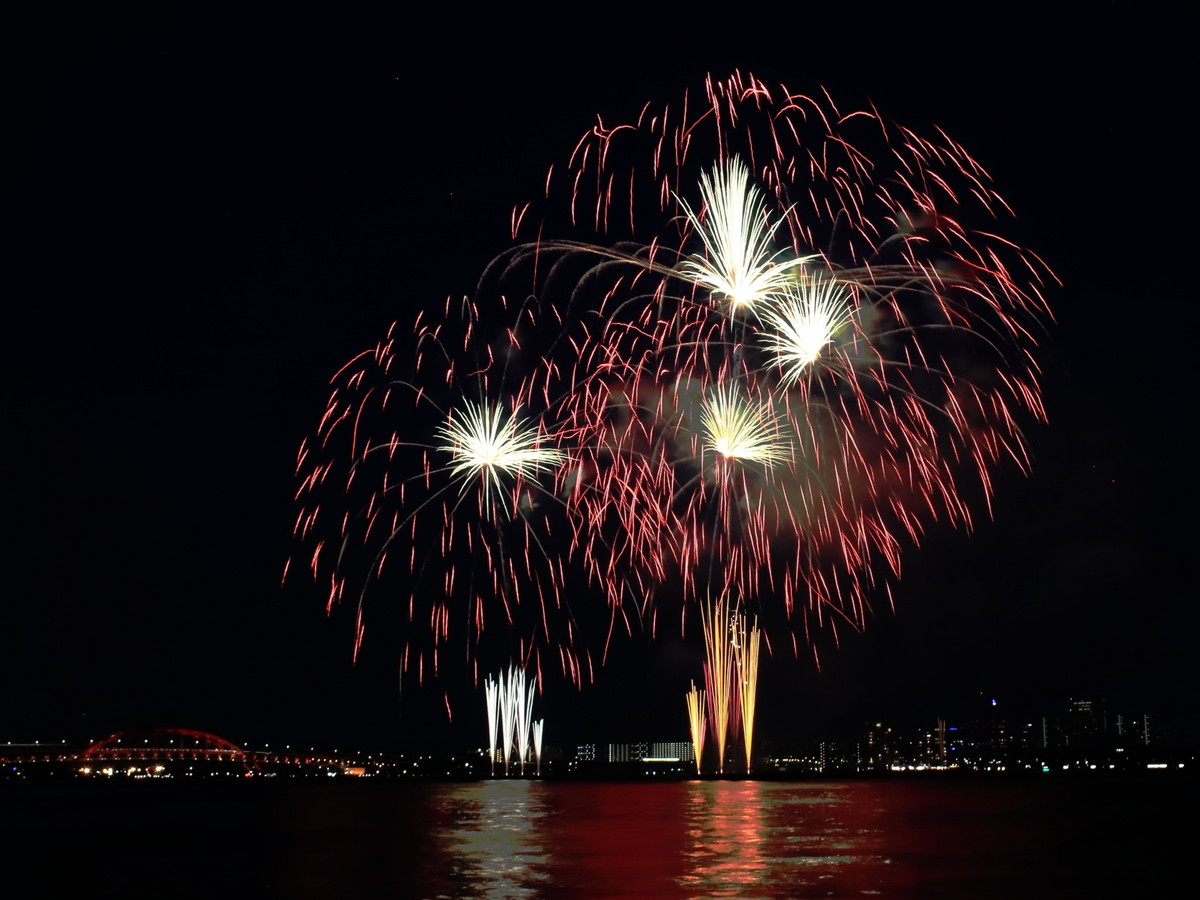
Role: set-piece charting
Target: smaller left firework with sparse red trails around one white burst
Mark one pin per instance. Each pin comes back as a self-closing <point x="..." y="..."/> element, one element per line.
<point x="443" y="458"/>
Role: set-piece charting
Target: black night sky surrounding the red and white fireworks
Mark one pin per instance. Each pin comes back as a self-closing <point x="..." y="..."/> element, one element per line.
<point x="207" y="230"/>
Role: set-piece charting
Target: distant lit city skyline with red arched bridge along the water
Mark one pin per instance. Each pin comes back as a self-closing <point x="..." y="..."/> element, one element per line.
<point x="1078" y="736"/>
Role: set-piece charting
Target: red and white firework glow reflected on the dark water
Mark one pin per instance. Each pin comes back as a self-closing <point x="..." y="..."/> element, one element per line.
<point x="704" y="839"/>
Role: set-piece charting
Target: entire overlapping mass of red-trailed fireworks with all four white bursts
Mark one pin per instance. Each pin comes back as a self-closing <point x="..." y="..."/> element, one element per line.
<point x="793" y="340"/>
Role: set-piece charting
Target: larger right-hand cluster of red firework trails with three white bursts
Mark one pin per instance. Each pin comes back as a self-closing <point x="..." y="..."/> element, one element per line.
<point x="885" y="328"/>
